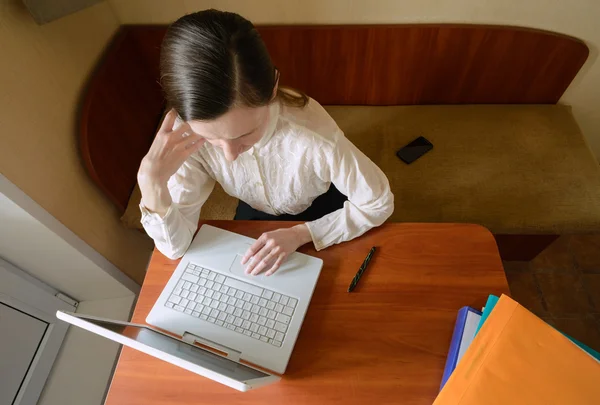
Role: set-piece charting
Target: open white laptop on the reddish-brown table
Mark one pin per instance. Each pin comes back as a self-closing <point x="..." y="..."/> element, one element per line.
<point x="211" y="301"/>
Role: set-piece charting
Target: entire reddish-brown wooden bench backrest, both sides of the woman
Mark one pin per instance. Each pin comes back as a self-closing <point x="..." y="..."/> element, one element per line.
<point x="349" y="65"/>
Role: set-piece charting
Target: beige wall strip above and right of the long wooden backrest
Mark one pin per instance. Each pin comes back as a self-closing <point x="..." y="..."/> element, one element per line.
<point x="579" y="18"/>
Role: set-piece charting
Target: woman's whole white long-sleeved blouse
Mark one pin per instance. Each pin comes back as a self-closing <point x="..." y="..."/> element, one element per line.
<point x="302" y="152"/>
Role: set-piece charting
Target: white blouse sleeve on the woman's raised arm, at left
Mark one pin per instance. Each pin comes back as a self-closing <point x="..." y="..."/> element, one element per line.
<point x="189" y="187"/>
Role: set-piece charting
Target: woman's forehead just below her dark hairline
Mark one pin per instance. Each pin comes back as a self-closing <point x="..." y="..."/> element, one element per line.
<point x="236" y="122"/>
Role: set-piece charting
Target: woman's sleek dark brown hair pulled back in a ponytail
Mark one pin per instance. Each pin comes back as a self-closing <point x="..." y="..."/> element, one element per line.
<point x="212" y="60"/>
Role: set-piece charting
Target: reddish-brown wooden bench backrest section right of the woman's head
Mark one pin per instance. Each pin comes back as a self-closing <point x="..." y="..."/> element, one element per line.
<point x="425" y="64"/>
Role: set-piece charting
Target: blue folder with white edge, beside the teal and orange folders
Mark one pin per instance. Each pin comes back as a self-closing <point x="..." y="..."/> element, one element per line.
<point x="460" y="341"/>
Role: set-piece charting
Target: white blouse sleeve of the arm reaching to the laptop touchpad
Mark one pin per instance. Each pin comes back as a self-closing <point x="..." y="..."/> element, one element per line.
<point x="370" y="200"/>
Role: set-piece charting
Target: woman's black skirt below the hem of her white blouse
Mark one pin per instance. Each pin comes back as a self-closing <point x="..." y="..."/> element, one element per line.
<point x="324" y="204"/>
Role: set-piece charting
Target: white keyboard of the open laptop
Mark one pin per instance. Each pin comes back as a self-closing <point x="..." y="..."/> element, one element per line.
<point x="245" y="308"/>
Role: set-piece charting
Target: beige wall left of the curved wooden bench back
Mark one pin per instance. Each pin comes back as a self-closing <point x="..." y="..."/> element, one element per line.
<point x="42" y="71"/>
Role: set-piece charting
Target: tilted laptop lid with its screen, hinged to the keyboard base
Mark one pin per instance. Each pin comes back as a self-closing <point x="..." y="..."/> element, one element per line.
<point x="173" y="350"/>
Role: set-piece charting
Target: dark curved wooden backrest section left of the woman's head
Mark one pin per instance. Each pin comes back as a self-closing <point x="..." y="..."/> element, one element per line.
<point x="120" y="112"/>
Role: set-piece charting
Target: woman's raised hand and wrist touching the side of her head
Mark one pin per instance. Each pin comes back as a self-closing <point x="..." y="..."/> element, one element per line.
<point x="170" y="148"/>
